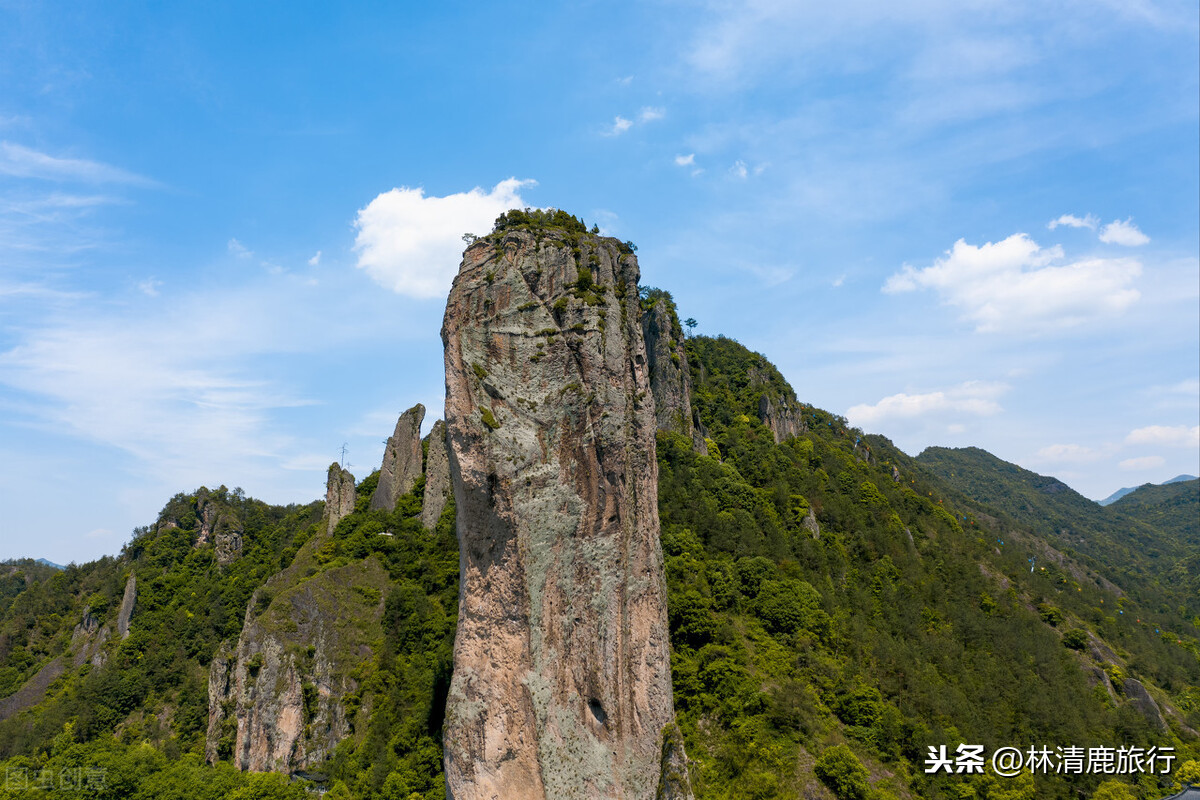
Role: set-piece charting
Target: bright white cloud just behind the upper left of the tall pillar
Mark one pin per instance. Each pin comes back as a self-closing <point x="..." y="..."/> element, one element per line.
<point x="412" y="244"/>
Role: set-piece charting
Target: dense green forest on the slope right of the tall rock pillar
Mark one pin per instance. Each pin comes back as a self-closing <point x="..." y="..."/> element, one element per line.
<point x="908" y="622"/>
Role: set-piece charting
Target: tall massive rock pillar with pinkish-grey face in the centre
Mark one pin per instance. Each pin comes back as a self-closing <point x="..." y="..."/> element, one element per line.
<point x="562" y="683"/>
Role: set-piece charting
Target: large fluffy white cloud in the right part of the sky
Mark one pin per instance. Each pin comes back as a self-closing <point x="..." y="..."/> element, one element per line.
<point x="1013" y="286"/>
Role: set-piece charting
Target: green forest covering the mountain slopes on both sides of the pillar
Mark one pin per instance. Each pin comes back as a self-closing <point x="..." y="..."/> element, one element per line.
<point x="836" y="609"/>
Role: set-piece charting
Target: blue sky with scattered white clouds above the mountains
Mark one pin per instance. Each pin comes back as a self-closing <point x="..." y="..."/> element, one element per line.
<point x="227" y="231"/>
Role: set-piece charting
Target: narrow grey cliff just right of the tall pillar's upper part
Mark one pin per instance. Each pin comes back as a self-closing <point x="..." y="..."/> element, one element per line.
<point x="670" y="377"/>
